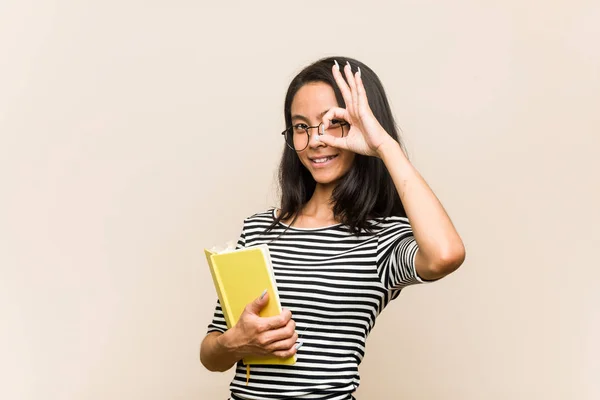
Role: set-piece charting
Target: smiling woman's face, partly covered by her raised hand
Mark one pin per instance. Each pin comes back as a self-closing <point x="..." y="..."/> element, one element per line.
<point x="326" y="164"/>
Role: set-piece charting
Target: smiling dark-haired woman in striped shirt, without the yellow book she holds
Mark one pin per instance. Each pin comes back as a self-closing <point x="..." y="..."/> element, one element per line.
<point x="342" y="246"/>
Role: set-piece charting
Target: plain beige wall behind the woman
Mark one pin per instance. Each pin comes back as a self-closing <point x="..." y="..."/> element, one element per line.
<point x="133" y="134"/>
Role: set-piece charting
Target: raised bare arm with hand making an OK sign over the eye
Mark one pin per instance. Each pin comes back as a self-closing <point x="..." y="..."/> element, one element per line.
<point x="441" y="250"/>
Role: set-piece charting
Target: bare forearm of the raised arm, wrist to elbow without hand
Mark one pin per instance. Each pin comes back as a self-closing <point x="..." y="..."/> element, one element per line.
<point x="440" y="247"/>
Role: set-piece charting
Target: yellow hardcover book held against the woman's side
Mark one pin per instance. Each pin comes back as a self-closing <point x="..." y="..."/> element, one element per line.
<point x="240" y="276"/>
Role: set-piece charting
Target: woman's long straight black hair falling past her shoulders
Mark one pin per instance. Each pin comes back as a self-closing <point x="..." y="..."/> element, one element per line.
<point x="367" y="190"/>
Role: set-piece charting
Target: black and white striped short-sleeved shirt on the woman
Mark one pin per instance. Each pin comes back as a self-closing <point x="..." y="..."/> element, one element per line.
<point x="335" y="284"/>
